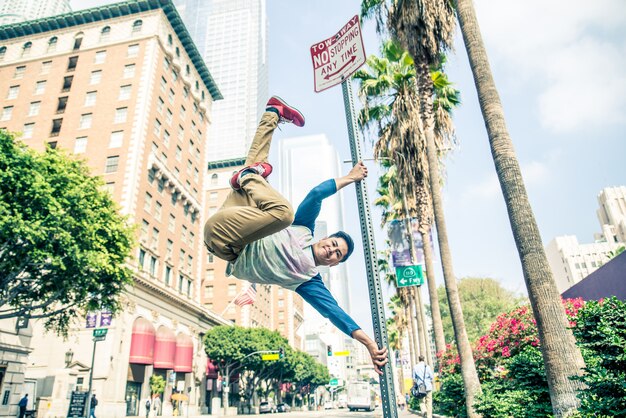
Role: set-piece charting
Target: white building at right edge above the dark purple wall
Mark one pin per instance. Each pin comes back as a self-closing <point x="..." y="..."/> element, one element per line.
<point x="571" y="261"/>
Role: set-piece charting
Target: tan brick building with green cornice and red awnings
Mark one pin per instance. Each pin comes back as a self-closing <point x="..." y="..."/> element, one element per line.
<point x="124" y="87"/>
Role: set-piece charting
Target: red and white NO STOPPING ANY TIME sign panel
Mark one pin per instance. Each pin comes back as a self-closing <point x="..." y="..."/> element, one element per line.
<point x="336" y="58"/>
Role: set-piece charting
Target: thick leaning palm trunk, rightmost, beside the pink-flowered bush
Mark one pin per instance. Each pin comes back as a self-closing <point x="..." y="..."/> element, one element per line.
<point x="561" y="356"/>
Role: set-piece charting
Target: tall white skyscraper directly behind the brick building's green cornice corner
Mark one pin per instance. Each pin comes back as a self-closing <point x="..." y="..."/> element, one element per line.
<point x="232" y="38"/>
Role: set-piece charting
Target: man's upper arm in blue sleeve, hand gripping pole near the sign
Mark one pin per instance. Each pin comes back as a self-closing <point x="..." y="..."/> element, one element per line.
<point x="310" y="207"/>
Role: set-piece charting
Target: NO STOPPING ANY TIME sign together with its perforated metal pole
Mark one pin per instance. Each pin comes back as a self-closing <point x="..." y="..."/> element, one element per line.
<point x="334" y="60"/>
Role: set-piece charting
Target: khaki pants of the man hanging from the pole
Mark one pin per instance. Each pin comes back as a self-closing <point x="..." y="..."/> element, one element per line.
<point x="253" y="212"/>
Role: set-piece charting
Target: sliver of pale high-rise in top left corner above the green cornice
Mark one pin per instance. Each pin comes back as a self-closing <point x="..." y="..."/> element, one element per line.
<point x="14" y="11"/>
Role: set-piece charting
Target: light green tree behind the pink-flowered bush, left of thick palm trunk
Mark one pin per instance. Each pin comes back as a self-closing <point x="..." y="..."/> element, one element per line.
<point x="482" y="299"/>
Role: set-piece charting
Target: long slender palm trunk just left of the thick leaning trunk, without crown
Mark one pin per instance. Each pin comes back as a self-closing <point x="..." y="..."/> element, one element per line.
<point x="471" y="383"/>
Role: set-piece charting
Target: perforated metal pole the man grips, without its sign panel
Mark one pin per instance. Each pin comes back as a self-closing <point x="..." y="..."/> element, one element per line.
<point x="387" y="392"/>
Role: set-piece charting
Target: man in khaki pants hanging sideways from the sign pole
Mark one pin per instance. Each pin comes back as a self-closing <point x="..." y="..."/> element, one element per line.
<point x="257" y="233"/>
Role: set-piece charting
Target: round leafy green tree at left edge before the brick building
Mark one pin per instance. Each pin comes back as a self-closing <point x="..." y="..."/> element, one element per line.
<point x="63" y="243"/>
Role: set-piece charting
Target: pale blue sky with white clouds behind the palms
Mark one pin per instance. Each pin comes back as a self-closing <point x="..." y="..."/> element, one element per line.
<point x="560" y="69"/>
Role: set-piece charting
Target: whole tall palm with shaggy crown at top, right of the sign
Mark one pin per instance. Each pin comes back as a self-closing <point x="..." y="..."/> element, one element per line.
<point x="425" y="29"/>
